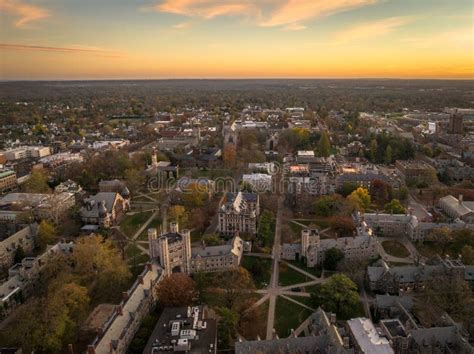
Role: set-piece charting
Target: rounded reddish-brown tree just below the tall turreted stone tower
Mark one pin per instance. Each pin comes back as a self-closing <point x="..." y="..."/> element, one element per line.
<point x="175" y="290"/>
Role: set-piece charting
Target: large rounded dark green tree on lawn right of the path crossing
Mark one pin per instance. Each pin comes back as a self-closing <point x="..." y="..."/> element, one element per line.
<point x="339" y="295"/>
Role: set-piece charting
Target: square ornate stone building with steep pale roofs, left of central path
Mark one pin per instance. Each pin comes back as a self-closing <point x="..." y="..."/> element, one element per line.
<point x="239" y="213"/>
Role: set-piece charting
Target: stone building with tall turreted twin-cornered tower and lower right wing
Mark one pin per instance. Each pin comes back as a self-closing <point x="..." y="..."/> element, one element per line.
<point x="174" y="253"/>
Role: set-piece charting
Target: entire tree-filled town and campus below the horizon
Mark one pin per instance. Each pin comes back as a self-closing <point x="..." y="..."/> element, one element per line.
<point x="247" y="216"/>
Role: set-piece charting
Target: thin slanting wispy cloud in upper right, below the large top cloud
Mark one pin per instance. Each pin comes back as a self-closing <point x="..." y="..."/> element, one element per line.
<point x="371" y="29"/>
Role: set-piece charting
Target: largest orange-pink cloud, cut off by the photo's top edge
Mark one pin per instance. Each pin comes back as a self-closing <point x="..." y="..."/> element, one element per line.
<point x="265" y="13"/>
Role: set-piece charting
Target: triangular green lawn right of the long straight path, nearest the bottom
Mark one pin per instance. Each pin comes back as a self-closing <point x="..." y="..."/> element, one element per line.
<point x="288" y="316"/>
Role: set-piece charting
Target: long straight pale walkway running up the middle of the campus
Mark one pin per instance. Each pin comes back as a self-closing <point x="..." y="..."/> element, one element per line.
<point x="275" y="269"/>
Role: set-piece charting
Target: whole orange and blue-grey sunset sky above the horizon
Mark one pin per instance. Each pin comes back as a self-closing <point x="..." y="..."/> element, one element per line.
<point x="155" y="39"/>
